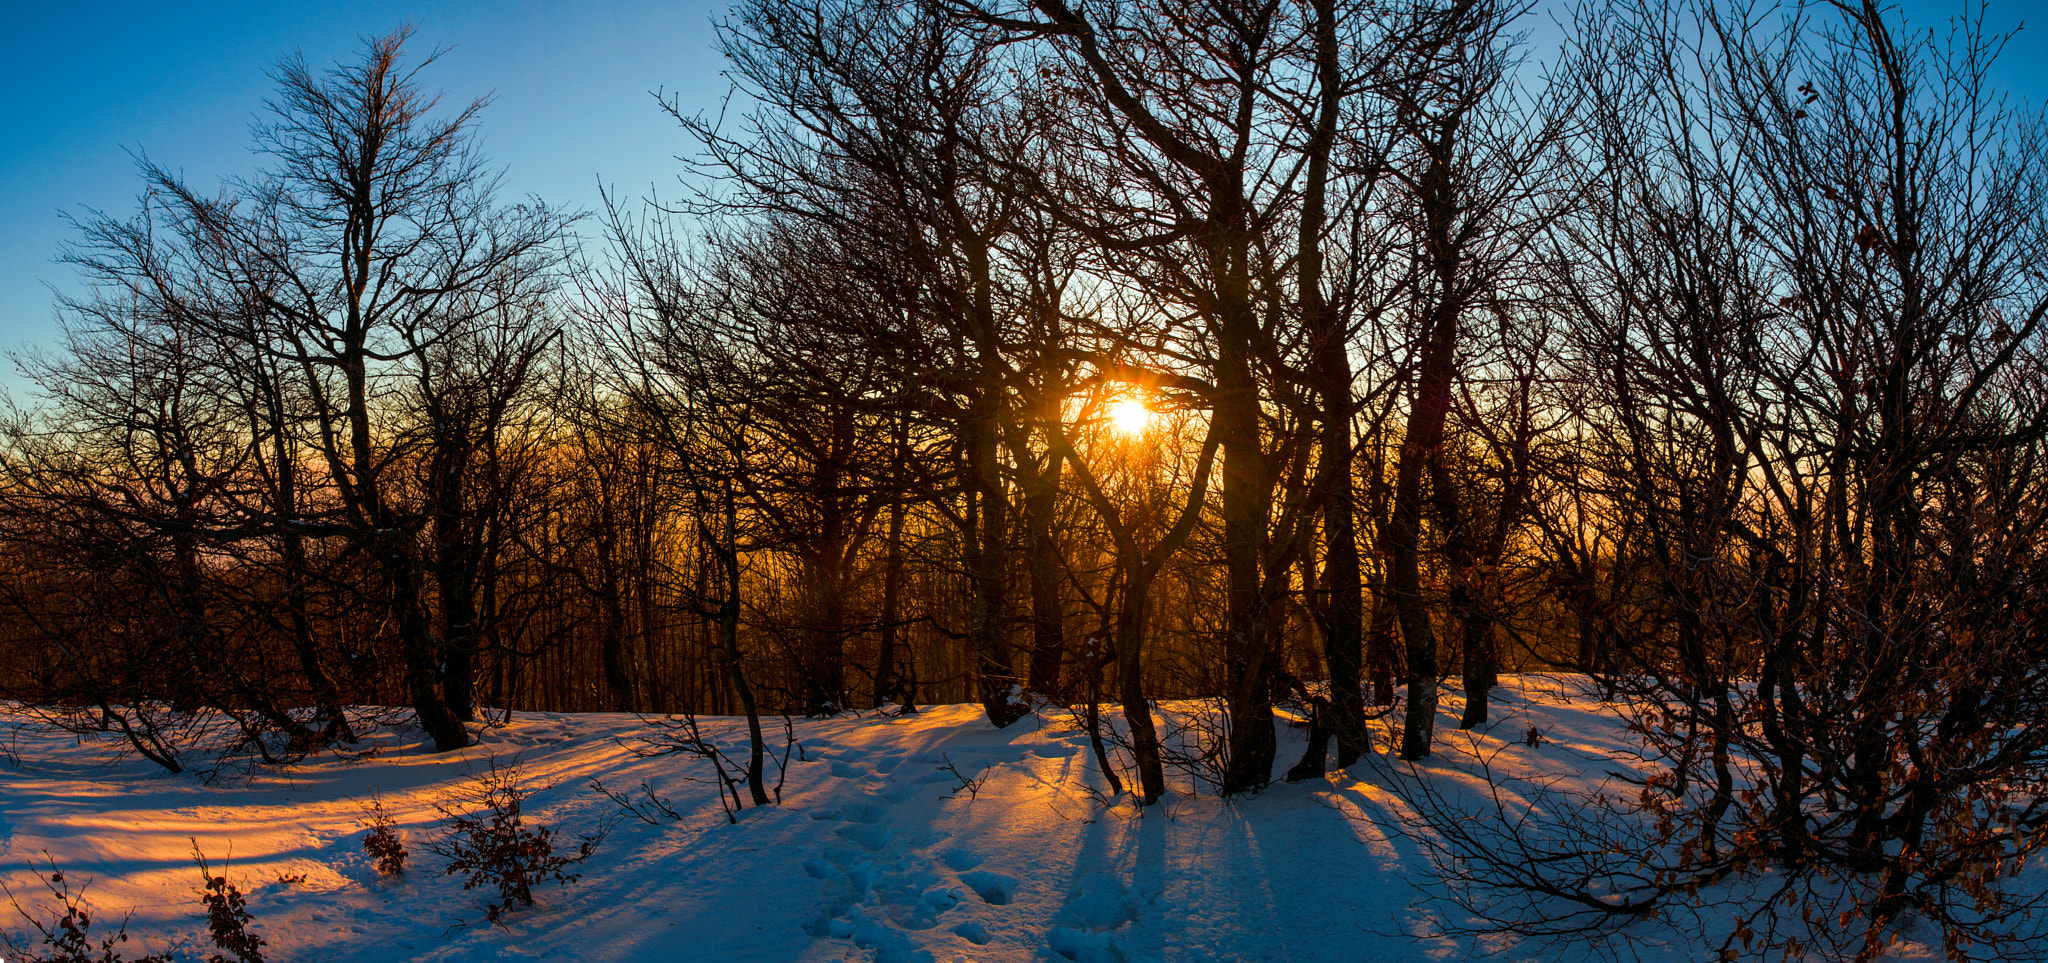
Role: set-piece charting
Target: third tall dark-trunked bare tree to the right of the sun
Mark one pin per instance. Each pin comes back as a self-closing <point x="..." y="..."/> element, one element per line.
<point x="1480" y="169"/>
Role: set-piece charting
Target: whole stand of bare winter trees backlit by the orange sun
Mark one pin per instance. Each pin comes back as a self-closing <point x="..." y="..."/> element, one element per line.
<point x="1275" y="355"/>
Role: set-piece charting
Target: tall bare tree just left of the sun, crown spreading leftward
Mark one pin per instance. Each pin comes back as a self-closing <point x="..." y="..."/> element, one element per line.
<point x="871" y="132"/>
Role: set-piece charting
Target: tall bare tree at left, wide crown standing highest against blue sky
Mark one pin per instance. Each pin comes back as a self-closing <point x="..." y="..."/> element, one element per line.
<point x="372" y="243"/>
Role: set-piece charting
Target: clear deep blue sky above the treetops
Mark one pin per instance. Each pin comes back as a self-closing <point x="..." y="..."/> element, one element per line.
<point x="89" y="83"/>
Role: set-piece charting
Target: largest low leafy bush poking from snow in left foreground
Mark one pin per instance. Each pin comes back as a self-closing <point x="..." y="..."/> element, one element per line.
<point x="490" y="845"/>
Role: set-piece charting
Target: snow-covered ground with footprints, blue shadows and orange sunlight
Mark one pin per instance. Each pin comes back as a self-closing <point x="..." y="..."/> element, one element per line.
<point x="878" y="853"/>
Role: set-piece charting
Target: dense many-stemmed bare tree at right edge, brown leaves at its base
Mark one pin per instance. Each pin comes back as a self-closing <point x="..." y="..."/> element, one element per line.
<point x="1809" y="304"/>
